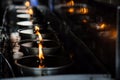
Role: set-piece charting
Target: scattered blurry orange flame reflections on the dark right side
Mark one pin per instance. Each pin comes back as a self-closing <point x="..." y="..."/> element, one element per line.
<point x="85" y="10"/>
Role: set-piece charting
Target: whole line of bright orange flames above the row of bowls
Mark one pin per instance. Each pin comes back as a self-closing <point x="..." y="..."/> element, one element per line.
<point x="39" y="36"/>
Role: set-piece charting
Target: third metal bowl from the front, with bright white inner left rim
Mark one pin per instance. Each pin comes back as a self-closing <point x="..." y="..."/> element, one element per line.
<point x="29" y="34"/>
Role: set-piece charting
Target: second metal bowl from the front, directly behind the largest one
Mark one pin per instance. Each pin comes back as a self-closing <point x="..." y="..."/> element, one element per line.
<point x="50" y="47"/>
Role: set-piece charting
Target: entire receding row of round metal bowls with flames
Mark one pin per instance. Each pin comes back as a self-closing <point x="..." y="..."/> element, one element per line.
<point x="25" y="44"/>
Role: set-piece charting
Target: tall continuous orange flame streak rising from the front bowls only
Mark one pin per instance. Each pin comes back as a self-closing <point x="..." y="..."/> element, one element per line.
<point x="41" y="56"/>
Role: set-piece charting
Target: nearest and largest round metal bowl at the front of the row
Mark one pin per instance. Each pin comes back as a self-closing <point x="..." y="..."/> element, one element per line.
<point x="53" y="65"/>
